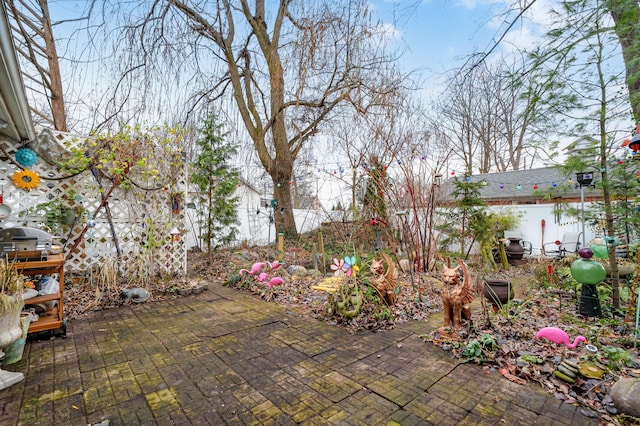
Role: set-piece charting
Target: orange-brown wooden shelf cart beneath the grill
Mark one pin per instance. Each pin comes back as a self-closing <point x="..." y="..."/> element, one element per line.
<point x="54" y="318"/>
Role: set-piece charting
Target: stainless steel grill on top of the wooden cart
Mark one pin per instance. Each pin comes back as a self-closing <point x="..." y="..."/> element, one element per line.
<point x="24" y="243"/>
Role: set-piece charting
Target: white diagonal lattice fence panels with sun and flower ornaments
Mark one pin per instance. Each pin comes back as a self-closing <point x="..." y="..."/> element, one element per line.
<point x="142" y="219"/>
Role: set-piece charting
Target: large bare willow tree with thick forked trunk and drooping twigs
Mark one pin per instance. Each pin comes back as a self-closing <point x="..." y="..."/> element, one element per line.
<point x="287" y="69"/>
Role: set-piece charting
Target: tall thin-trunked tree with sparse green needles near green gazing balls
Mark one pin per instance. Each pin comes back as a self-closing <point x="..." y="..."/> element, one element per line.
<point x="581" y="60"/>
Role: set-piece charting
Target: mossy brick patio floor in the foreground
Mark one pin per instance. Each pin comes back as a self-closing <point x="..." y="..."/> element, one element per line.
<point x="224" y="357"/>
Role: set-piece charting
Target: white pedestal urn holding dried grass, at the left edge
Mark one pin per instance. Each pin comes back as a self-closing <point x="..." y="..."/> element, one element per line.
<point x="11" y="304"/>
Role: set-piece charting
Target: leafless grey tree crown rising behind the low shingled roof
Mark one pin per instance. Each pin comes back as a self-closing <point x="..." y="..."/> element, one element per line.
<point x="492" y="119"/>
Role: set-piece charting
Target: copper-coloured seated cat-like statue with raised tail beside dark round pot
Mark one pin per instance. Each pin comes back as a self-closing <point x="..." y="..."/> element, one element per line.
<point x="457" y="295"/>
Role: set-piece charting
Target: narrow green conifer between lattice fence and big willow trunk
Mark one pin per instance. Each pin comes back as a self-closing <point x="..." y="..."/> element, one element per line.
<point x="217" y="181"/>
